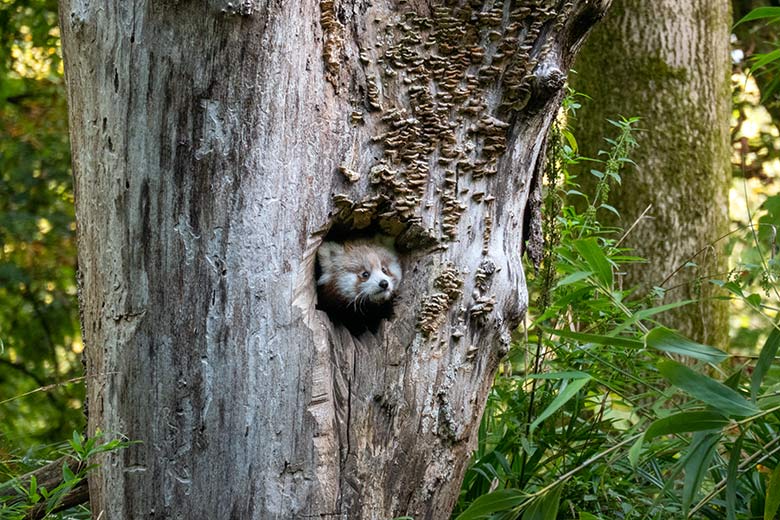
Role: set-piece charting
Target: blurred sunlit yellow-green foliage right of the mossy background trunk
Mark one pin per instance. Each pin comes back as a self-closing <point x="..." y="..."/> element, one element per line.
<point x="756" y="146"/>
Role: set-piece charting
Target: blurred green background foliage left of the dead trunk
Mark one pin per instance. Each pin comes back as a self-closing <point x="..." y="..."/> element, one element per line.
<point x="39" y="333"/>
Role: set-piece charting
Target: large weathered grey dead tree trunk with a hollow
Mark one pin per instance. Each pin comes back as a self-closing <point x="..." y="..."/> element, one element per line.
<point x="213" y="149"/>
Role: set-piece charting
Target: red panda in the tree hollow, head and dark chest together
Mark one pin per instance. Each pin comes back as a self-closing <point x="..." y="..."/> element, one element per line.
<point x="357" y="282"/>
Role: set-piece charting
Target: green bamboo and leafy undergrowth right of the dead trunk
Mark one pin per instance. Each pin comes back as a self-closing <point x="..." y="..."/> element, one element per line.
<point x="593" y="414"/>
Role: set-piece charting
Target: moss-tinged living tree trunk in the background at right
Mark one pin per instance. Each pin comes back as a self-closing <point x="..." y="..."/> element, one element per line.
<point x="668" y="63"/>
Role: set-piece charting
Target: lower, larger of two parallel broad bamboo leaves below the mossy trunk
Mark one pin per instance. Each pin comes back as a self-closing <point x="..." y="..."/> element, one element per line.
<point x="706" y="389"/>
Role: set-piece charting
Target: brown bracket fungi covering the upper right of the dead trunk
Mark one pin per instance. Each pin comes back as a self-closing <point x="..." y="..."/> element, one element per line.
<point x="444" y="88"/>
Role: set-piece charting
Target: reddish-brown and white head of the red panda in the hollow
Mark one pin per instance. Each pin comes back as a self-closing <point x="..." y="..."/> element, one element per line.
<point x="360" y="273"/>
